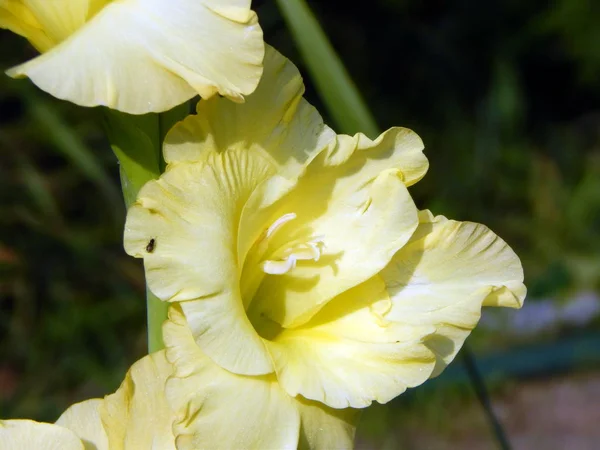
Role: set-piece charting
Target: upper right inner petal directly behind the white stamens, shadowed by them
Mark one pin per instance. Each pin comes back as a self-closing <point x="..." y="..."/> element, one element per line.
<point x="359" y="206"/>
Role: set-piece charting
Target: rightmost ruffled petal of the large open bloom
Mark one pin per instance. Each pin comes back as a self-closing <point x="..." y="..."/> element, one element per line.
<point x="443" y="277"/>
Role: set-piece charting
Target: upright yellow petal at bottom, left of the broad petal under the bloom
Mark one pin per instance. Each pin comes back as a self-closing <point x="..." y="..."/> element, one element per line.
<point x="137" y="415"/>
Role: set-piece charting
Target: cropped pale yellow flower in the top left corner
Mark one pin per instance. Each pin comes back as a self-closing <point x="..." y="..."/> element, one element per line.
<point x="138" y="56"/>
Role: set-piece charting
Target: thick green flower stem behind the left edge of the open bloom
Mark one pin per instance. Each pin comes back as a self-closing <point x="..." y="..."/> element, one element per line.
<point x="137" y="143"/>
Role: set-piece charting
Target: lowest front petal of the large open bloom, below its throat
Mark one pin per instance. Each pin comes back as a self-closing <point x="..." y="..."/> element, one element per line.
<point x="348" y="355"/>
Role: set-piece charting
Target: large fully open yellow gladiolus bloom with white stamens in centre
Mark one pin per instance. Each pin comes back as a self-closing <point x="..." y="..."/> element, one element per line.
<point x="298" y="255"/>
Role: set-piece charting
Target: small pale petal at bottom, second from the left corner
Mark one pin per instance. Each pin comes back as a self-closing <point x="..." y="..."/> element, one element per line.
<point x="84" y="420"/>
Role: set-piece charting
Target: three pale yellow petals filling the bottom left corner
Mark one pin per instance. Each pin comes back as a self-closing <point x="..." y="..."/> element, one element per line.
<point x="136" y="416"/>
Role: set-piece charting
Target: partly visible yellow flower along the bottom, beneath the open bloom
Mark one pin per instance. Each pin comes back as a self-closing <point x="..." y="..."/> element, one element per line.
<point x="162" y="407"/>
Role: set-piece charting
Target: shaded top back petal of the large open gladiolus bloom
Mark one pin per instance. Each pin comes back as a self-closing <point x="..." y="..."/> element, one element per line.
<point x="275" y="120"/>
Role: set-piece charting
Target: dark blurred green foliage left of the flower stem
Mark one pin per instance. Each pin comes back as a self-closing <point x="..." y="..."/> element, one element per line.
<point x="72" y="313"/>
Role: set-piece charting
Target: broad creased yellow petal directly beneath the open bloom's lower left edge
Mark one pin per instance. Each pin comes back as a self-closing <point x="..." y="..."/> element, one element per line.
<point x="219" y="409"/>
